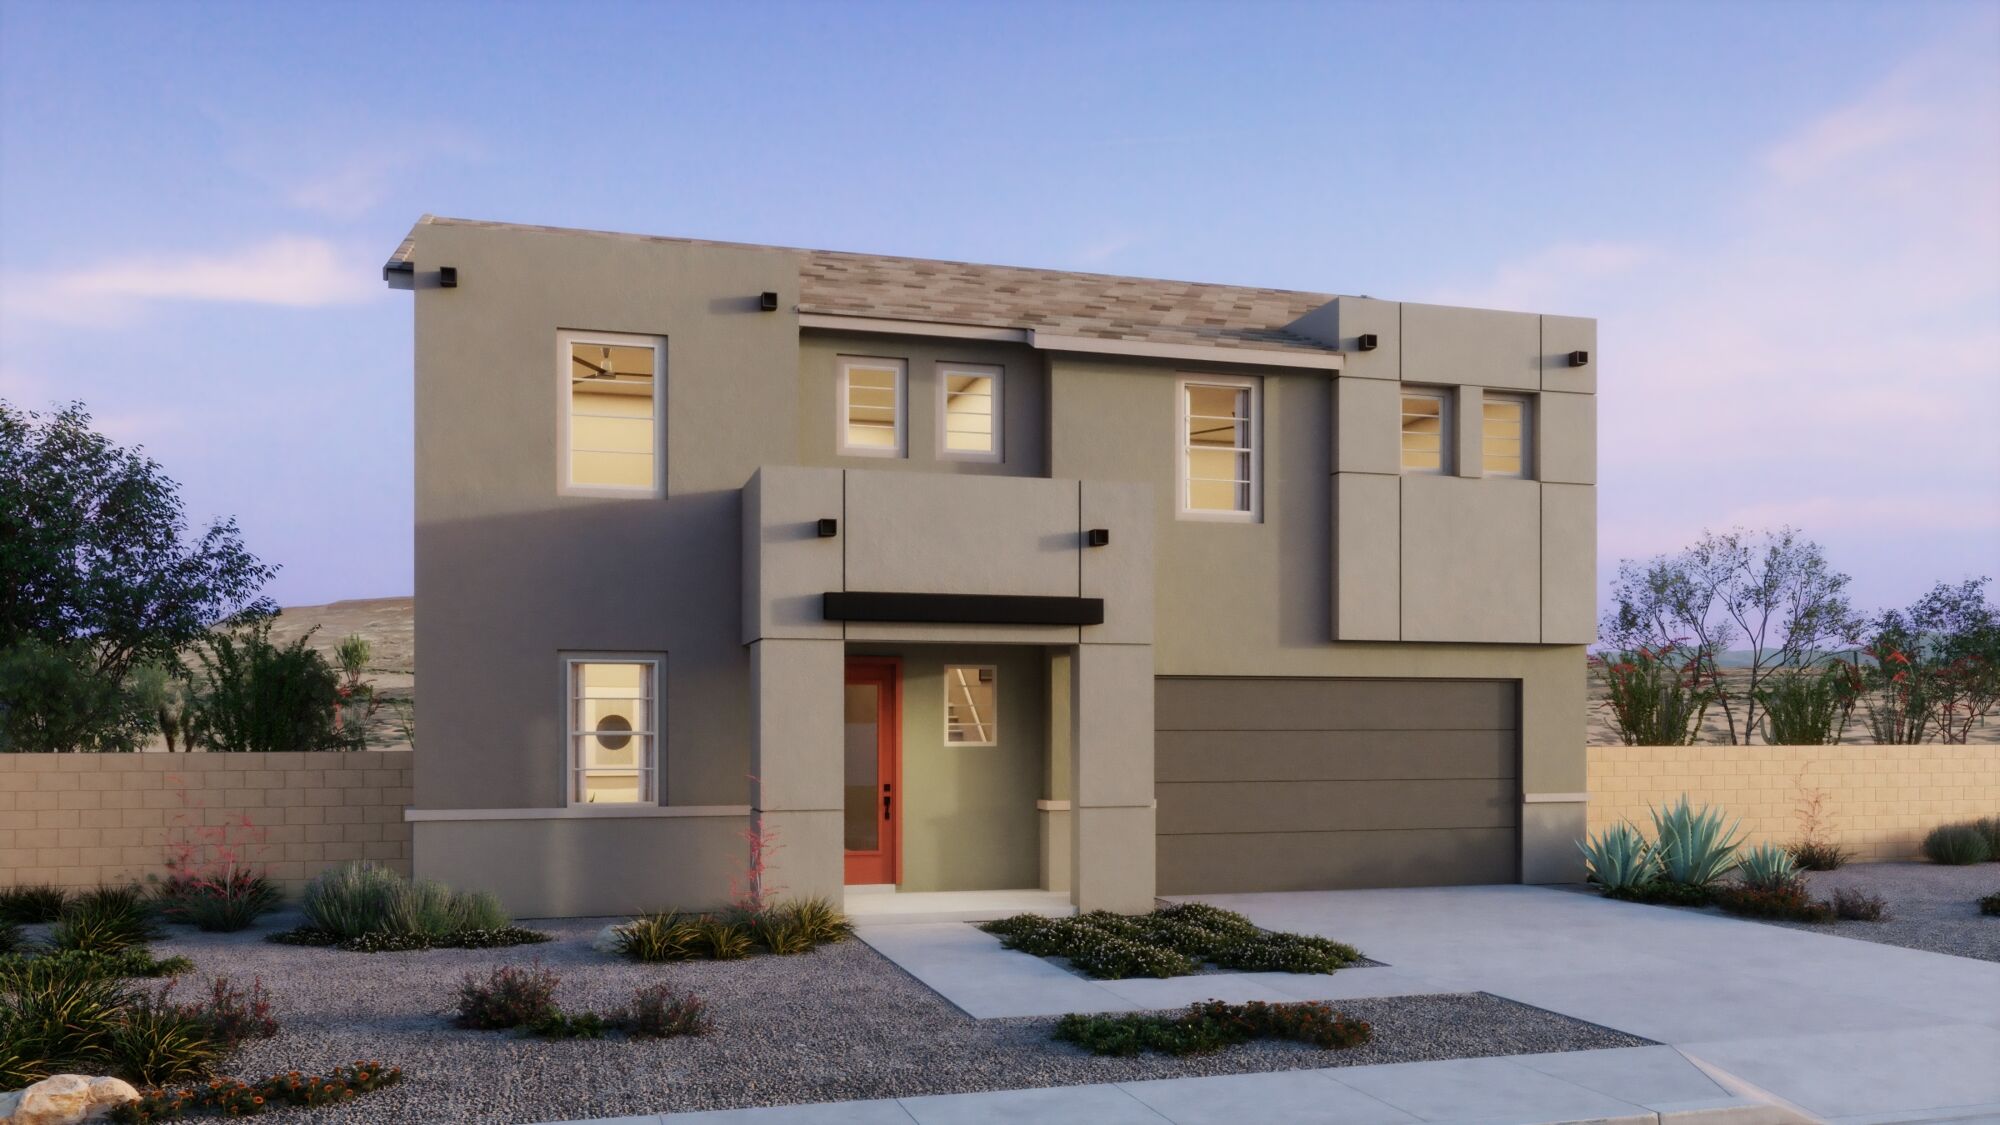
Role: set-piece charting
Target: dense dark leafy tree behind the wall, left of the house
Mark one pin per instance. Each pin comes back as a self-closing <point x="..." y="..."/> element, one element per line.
<point x="99" y="568"/>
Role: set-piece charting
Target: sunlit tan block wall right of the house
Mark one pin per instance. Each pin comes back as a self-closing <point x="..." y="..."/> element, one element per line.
<point x="1879" y="800"/>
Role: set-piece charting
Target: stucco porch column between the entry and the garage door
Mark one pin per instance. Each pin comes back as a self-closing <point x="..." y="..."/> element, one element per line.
<point x="1111" y="778"/>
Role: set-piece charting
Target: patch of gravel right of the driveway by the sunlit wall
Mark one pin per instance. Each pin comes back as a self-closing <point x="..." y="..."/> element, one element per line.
<point x="1929" y="906"/>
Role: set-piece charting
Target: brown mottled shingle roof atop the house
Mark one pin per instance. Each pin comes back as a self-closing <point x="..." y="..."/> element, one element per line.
<point x="1013" y="297"/>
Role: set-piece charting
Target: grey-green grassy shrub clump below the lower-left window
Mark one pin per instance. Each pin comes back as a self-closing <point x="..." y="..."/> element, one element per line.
<point x="371" y="910"/>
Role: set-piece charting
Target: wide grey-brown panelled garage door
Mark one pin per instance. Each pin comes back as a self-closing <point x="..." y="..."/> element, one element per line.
<point x="1317" y="784"/>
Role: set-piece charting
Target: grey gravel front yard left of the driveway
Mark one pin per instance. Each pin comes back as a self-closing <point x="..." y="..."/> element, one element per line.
<point x="837" y="1024"/>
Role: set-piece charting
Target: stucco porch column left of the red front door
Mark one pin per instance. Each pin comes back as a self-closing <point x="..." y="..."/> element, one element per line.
<point x="795" y="764"/>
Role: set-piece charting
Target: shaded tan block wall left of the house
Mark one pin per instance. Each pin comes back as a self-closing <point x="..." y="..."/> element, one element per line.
<point x="89" y="820"/>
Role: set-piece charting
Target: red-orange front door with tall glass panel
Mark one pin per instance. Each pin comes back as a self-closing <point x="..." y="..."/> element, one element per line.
<point x="873" y="770"/>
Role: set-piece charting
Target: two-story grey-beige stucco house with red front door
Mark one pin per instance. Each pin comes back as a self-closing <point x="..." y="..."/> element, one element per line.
<point x="955" y="578"/>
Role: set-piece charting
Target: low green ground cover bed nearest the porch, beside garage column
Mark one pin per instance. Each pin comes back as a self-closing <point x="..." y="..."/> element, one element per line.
<point x="1171" y="942"/>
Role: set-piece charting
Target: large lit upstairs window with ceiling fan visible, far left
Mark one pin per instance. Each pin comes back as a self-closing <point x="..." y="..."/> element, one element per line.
<point x="611" y="429"/>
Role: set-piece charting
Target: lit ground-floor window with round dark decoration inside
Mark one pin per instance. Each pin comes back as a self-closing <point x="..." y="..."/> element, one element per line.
<point x="613" y="730"/>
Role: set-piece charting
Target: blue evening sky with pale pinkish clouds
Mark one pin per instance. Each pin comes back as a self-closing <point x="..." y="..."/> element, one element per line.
<point x="1785" y="217"/>
